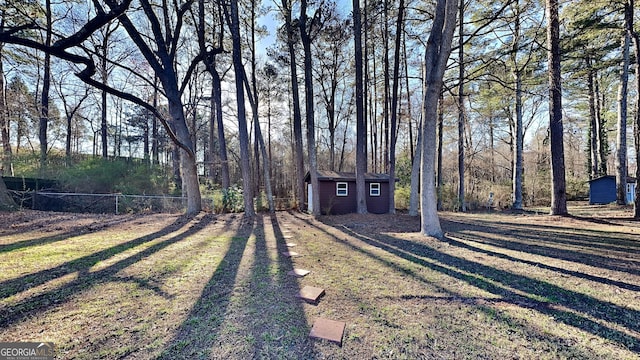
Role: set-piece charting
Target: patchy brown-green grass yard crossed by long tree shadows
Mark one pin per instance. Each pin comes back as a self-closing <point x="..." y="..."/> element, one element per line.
<point x="499" y="286"/>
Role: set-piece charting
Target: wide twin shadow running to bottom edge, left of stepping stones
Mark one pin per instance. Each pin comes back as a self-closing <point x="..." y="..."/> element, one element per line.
<point x="265" y="314"/>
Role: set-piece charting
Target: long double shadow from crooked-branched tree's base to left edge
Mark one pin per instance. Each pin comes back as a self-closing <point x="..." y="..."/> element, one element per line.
<point x="40" y="303"/>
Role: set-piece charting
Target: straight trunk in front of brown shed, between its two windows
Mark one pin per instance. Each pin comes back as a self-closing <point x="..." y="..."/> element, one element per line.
<point x="361" y="125"/>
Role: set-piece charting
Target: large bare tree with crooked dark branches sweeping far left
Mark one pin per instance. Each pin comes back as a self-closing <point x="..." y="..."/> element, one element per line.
<point x="159" y="49"/>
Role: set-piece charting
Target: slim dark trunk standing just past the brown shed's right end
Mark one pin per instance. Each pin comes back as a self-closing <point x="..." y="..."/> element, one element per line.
<point x="394" y="109"/>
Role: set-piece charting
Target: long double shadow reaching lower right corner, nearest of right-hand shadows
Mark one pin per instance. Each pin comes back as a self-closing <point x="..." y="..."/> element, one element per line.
<point x="569" y="307"/>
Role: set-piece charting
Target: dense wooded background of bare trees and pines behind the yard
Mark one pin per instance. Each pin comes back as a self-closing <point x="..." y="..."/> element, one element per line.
<point x="245" y="89"/>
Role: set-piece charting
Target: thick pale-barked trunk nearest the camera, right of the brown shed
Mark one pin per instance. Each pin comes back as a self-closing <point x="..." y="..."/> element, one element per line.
<point x="436" y="55"/>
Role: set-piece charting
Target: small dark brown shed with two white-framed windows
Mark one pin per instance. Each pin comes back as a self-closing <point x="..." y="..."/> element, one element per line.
<point x="338" y="192"/>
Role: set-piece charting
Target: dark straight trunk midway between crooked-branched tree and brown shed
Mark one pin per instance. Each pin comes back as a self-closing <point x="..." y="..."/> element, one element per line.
<point x="243" y="135"/>
